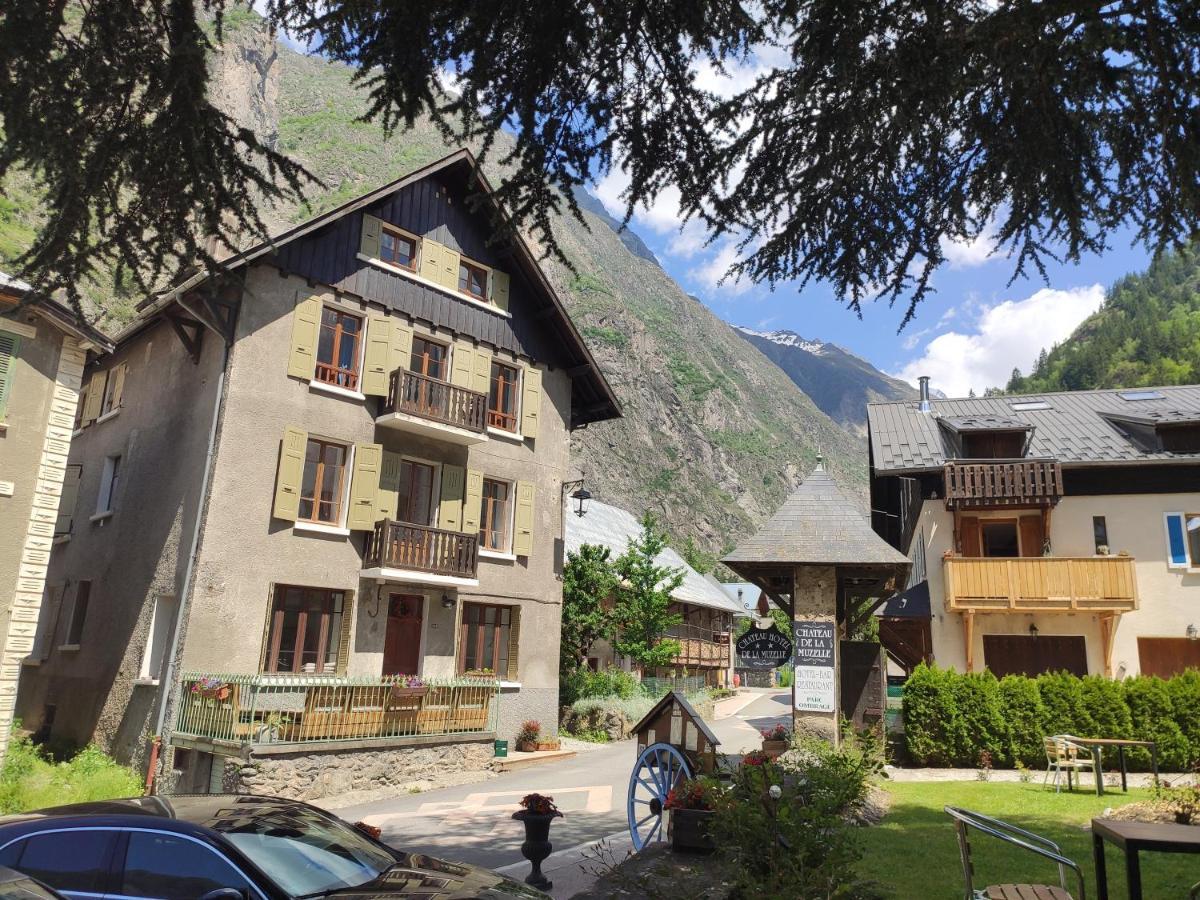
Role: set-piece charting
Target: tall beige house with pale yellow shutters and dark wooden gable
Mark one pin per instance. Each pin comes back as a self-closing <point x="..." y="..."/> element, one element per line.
<point x="320" y="501"/>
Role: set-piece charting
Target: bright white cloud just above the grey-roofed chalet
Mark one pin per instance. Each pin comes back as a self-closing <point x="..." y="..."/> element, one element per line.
<point x="1006" y="335"/>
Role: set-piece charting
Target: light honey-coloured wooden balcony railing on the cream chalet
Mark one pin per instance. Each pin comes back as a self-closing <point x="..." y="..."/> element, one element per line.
<point x="1041" y="585"/>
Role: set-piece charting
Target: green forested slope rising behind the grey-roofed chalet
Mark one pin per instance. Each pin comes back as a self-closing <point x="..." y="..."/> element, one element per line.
<point x="1147" y="333"/>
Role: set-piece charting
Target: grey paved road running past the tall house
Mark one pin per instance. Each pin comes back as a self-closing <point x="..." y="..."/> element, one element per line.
<point x="473" y="823"/>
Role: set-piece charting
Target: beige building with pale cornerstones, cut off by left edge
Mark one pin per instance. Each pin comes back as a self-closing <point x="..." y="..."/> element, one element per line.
<point x="43" y="352"/>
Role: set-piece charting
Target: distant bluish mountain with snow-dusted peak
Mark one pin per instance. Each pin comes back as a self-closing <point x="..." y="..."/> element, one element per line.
<point x="841" y="383"/>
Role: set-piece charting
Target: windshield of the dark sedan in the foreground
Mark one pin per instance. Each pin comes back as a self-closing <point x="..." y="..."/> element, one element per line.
<point x="307" y="854"/>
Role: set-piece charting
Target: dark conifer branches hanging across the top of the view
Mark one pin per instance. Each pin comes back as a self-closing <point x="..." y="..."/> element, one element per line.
<point x="909" y="123"/>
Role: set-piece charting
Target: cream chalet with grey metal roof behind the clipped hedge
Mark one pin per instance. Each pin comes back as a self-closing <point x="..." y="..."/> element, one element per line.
<point x="1049" y="532"/>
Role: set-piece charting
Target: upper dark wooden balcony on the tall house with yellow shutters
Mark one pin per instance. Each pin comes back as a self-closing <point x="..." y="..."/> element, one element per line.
<point x="425" y="406"/>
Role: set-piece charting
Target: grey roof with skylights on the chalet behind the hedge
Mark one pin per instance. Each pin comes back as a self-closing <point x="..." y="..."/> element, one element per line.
<point x="1075" y="428"/>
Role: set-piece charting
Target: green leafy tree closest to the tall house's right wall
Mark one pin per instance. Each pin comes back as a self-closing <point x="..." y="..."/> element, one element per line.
<point x="590" y="583"/>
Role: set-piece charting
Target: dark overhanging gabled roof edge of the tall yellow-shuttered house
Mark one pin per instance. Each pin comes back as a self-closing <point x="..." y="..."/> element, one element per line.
<point x="597" y="395"/>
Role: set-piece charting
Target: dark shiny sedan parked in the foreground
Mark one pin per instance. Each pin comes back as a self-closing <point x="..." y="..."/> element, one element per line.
<point x="226" y="848"/>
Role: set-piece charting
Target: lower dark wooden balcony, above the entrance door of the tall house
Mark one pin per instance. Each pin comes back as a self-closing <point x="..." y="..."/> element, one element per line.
<point x="401" y="551"/>
